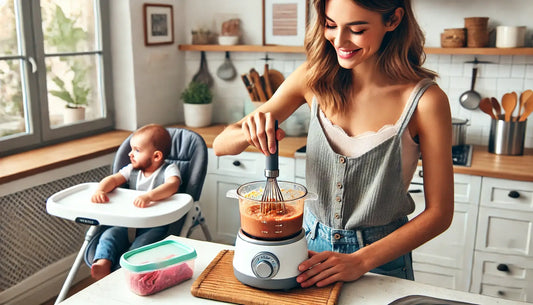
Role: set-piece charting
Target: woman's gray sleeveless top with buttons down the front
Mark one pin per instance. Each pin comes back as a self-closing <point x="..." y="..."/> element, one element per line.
<point x="365" y="191"/>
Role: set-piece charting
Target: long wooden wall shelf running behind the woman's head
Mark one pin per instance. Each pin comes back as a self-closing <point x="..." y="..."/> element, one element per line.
<point x="300" y="49"/>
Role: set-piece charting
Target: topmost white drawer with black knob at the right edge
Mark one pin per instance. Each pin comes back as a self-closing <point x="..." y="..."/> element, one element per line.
<point x="507" y="194"/>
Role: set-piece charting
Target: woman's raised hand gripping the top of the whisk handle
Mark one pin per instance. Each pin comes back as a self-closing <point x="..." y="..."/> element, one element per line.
<point x="259" y="130"/>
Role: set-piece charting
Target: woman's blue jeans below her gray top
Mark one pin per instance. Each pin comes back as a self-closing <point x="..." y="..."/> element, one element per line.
<point x="323" y="238"/>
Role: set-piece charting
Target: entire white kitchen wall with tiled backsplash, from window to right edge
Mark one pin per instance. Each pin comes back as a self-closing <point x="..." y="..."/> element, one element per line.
<point x="160" y="73"/>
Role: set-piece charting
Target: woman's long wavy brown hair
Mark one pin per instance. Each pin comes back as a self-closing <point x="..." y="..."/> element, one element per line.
<point x="401" y="54"/>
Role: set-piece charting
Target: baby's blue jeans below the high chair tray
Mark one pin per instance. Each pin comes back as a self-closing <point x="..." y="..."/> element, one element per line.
<point x="114" y="242"/>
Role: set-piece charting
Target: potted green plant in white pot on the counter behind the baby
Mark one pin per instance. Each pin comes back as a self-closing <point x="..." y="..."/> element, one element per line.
<point x="197" y="106"/>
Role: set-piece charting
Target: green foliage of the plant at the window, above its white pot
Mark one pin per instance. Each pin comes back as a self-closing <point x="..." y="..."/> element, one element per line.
<point x="63" y="34"/>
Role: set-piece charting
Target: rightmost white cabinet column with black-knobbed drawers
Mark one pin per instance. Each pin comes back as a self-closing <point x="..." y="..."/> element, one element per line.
<point x="503" y="264"/>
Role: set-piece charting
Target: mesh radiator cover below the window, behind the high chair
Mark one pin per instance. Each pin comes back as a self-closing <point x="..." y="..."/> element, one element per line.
<point x="30" y="238"/>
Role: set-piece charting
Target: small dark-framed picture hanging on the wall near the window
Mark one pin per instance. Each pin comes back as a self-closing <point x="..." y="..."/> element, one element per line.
<point x="158" y="24"/>
